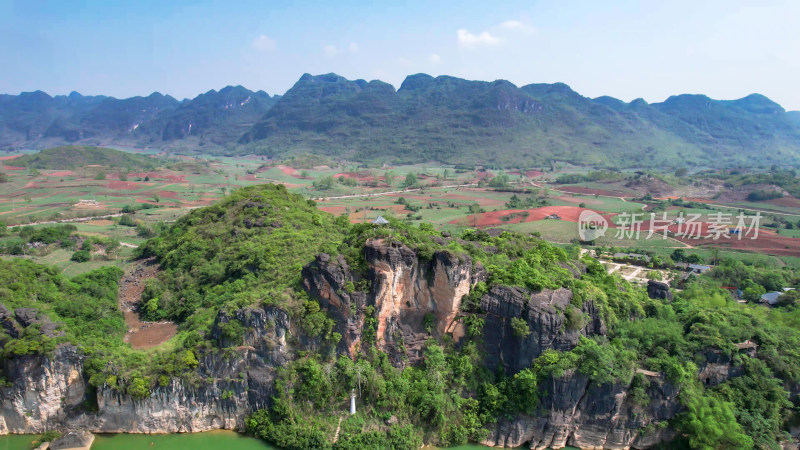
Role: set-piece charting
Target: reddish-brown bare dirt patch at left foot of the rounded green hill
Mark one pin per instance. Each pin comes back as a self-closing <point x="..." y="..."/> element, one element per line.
<point x="141" y="335"/>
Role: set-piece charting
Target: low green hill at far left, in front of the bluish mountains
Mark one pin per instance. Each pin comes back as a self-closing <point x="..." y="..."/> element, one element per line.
<point x="74" y="157"/>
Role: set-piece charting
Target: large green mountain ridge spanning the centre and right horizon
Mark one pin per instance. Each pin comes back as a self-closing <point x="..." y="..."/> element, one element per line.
<point x="454" y="120"/>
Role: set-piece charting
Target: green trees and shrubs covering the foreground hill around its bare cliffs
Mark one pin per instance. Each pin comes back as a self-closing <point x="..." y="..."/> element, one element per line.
<point x="248" y="250"/>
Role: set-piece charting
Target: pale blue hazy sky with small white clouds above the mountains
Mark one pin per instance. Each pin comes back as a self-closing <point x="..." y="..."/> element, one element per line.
<point x="627" y="49"/>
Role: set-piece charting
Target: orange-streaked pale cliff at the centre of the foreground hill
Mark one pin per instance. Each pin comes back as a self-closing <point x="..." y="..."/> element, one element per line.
<point x="414" y="299"/>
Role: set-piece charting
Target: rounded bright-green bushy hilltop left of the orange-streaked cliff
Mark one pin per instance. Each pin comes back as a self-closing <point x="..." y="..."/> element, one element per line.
<point x="247" y="248"/>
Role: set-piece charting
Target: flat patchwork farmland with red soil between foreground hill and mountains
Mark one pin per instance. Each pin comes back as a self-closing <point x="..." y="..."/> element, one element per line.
<point x="450" y="199"/>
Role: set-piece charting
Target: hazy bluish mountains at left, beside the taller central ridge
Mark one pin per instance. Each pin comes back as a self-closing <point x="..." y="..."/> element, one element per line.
<point x="212" y="121"/>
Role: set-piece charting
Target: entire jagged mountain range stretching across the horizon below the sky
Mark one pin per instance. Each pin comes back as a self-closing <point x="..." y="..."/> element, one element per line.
<point x="443" y="119"/>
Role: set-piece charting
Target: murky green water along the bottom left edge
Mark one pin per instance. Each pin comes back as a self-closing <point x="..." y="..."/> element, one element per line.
<point x="210" y="440"/>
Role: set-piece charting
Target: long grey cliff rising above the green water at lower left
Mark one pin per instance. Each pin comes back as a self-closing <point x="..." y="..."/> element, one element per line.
<point x="48" y="393"/>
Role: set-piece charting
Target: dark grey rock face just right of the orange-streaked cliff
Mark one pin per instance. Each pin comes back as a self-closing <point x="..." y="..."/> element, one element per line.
<point x="544" y="313"/>
